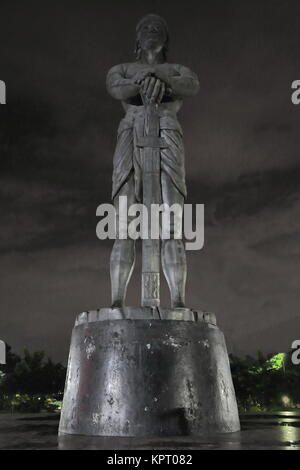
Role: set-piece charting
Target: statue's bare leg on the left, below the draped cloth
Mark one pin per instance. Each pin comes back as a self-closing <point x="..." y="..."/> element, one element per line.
<point x="123" y="252"/>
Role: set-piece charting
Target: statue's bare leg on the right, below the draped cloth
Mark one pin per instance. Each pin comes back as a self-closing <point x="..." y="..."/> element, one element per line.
<point x="173" y="252"/>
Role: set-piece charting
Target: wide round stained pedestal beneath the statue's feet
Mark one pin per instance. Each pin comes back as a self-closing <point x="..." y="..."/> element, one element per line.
<point x="148" y="372"/>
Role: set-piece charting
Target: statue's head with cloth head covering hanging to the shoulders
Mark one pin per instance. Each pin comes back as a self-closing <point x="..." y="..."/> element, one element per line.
<point x="152" y="34"/>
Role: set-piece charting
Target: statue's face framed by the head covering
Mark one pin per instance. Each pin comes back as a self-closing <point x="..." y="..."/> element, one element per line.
<point x="152" y="36"/>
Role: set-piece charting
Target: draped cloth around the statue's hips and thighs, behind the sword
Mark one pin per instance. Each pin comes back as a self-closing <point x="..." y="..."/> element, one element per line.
<point x="127" y="156"/>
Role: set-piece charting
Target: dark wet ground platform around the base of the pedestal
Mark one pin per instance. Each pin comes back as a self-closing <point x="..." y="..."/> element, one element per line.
<point x="263" y="431"/>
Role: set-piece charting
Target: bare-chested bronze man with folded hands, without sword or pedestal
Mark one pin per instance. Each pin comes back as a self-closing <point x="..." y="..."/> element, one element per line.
<point x="150" y="79"/>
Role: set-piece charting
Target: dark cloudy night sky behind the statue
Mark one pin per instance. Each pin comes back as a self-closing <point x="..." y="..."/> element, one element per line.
<point x="57" y="138"/>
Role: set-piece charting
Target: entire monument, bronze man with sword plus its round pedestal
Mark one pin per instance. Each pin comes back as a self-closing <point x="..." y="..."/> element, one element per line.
<point x="144" y="371"/>
